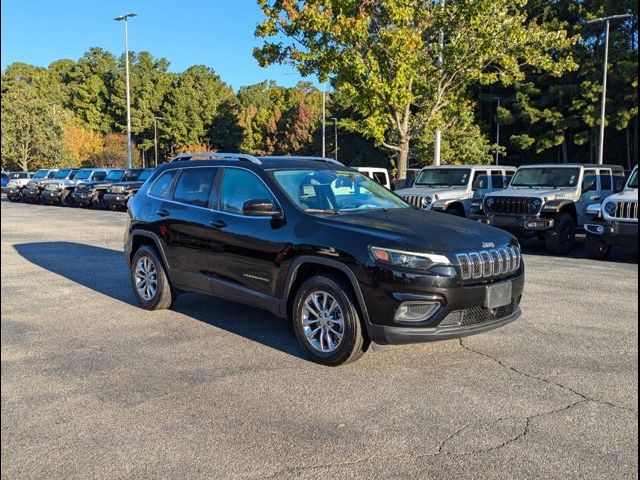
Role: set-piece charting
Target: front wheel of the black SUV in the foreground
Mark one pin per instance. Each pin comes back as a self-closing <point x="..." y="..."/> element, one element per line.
<point x="331" y="289"/>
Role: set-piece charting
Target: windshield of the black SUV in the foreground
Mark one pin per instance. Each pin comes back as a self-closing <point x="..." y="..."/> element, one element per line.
<point x="331" y="191"/>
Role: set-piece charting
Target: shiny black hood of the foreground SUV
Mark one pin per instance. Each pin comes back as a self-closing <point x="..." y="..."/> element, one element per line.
<point x="419" y="230"/>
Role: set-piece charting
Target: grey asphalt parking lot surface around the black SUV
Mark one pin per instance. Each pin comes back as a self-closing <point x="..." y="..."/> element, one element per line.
<point x="94" y="387"/>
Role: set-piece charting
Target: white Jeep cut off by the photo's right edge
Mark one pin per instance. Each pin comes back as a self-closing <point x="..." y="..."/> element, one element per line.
<point x="614" y="221"/>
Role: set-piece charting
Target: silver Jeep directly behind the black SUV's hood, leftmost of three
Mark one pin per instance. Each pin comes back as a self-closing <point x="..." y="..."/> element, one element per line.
<point x="457" y="190"/>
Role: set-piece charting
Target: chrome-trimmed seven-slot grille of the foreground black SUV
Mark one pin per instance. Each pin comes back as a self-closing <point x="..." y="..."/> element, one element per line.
<point x="486" y="264"/>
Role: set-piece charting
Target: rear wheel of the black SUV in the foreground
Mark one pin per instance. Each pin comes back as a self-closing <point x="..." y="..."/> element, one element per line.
<point x="162" y="298"/>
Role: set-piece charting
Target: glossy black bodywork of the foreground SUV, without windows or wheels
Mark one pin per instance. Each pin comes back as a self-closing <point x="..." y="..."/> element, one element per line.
<point x="262" y="260"/>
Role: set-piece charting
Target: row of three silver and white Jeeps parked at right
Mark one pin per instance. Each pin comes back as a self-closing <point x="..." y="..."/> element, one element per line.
<point x="551" y="202"/>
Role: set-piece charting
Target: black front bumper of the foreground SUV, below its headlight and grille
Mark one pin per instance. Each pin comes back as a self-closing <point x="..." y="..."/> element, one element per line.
<point x="461" y="311"/>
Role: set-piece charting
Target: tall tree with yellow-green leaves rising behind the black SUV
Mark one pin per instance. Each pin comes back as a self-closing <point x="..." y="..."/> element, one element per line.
<point x="384" y="55"/>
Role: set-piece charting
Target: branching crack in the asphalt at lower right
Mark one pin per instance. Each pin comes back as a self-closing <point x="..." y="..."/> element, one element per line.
<point x="439" y="450"/>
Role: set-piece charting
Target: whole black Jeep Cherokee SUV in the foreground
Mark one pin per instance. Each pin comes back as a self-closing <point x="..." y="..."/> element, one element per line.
<point x="347" y="260"/>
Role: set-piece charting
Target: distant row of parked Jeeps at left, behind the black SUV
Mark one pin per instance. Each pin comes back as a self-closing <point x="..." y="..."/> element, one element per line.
<point x="85" y="187"/>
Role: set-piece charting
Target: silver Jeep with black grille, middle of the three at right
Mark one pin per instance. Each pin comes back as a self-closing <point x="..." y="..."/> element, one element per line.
<point x="551" y="201"/>
